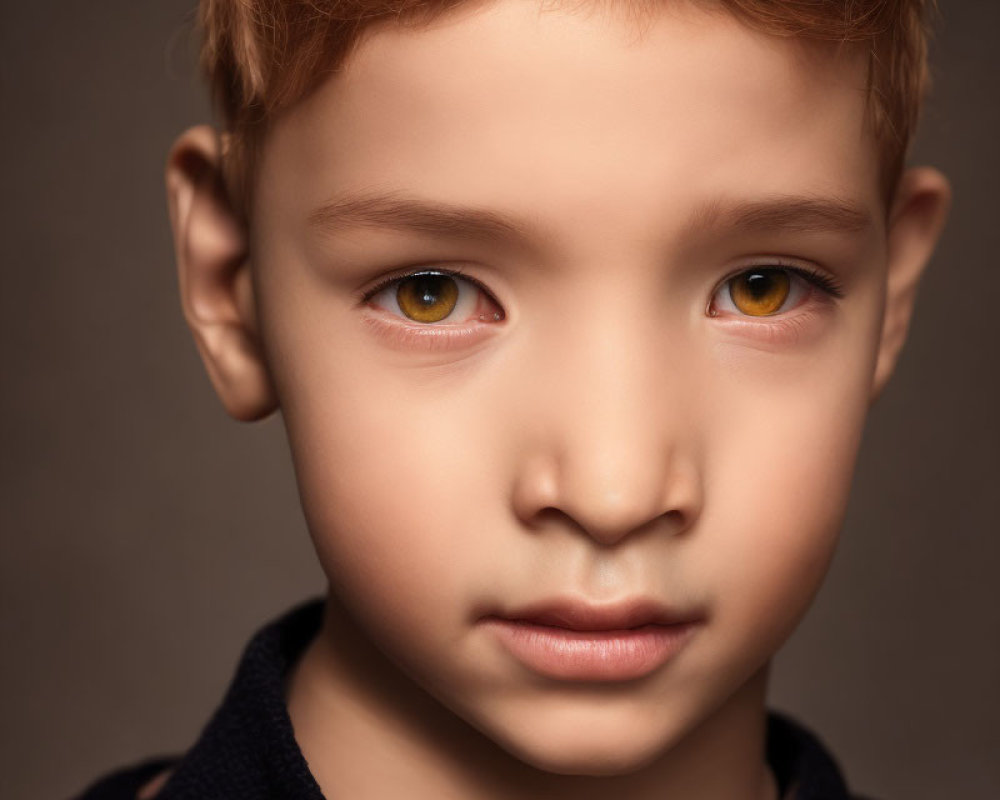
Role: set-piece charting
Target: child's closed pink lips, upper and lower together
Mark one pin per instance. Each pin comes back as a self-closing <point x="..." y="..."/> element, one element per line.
<point x="568" y="640"/>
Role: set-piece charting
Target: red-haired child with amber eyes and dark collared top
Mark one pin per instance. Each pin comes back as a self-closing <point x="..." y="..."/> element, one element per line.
<point x="573" y="313"/>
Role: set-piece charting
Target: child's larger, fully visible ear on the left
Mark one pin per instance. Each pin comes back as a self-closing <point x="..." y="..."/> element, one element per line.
<point x="217" y="293"/>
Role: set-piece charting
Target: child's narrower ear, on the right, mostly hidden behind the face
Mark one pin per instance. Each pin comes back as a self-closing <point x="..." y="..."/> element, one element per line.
<point x="916" y="220"/>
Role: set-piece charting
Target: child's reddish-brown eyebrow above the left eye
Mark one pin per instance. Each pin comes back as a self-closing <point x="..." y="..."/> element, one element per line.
<point x="404" y="213"/>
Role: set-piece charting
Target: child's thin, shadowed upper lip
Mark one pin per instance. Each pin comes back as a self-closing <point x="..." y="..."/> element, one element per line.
<point x="581" y="615"/>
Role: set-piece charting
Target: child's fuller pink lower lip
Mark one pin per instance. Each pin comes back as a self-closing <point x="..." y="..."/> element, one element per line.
<point x="617" y="655"/>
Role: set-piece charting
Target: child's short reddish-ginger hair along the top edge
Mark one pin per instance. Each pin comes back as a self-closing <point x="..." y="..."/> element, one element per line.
<point x="262" y="56"/>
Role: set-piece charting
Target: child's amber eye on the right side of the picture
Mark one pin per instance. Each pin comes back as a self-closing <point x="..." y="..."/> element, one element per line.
<point x="766" y="291"/>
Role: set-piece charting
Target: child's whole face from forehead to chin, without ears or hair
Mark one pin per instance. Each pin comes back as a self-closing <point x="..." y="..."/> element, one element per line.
<point x="607" y="422"/>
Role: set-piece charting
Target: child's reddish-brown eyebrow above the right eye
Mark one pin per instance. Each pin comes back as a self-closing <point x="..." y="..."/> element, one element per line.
<point x="791" y="214"/>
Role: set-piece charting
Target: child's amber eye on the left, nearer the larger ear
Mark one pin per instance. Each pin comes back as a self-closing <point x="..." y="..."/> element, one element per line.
<point x="435" y="297"/>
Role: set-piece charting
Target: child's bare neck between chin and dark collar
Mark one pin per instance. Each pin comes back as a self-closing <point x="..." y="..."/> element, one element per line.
<point x="367" y="731"/>
